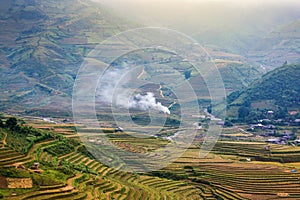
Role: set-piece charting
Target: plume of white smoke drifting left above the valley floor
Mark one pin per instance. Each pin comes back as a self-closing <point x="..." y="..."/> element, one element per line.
<point x="113" y="89"/>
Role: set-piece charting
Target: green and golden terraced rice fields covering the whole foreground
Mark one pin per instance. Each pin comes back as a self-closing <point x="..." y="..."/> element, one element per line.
<point x="43" y="160"/>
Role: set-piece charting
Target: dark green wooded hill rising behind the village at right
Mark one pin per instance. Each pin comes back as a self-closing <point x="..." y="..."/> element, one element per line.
<point x="278" y="90"/>
